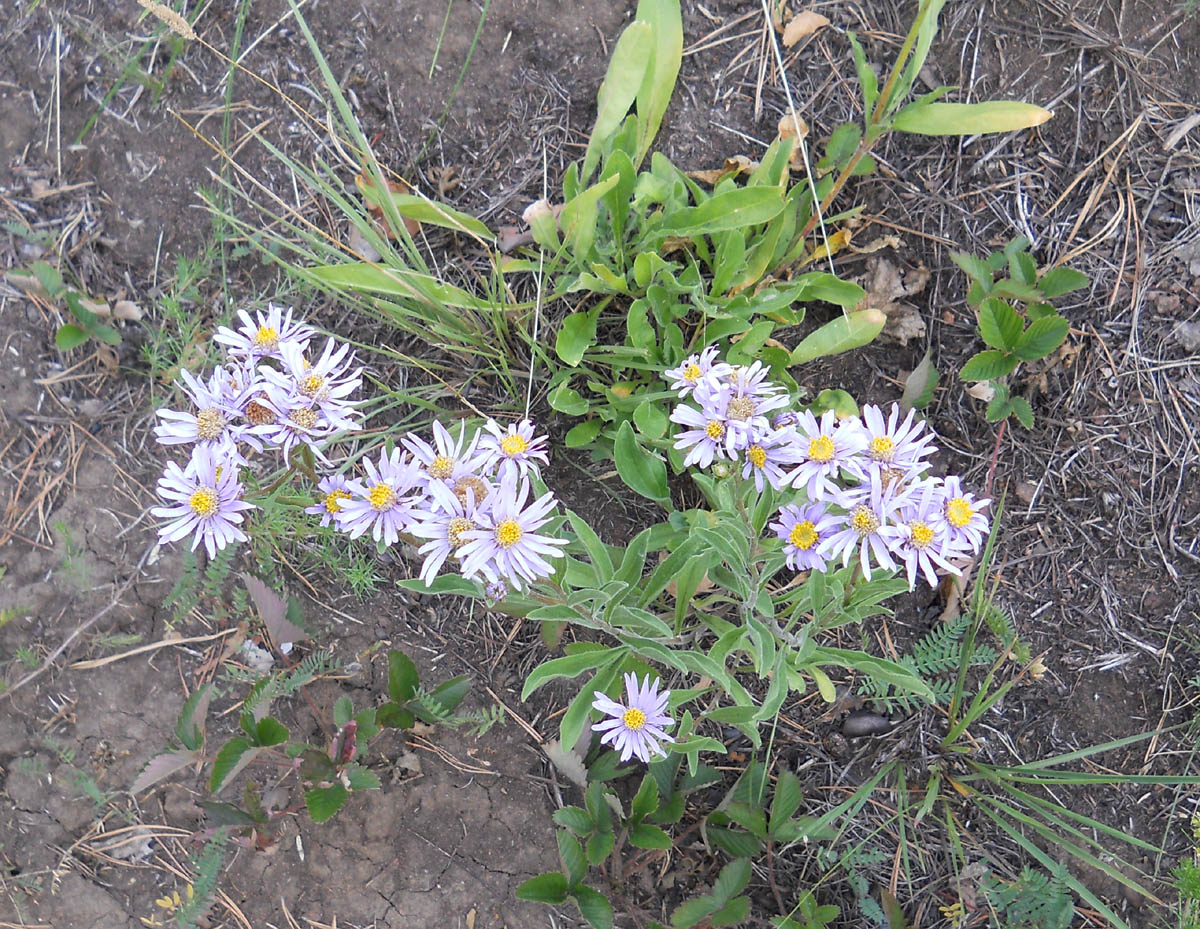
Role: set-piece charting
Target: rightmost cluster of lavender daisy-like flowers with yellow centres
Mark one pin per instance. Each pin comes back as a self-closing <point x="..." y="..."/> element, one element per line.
<point x="863" y="484"/>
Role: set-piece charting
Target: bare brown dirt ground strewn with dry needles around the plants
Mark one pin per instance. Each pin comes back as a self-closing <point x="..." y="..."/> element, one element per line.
<point x="1100" y="559"/>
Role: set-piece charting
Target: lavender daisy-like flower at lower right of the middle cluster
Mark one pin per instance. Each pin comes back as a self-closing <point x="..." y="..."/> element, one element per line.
<point x="507" y="546"/>
